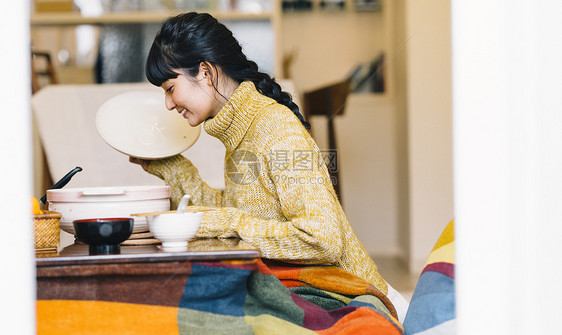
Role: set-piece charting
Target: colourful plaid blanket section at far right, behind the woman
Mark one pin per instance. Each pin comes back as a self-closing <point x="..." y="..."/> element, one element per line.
<point x="432" y="308"/>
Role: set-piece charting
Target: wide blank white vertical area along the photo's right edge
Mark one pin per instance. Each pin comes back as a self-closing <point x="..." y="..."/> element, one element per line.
<point x="507" y="130"/>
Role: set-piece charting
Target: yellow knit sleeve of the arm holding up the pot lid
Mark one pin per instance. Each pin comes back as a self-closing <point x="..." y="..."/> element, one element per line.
<point x="183" y="178"/>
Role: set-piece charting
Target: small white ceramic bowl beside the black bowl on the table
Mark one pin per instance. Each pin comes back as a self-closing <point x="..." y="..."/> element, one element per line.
<point x="174" y="230"/>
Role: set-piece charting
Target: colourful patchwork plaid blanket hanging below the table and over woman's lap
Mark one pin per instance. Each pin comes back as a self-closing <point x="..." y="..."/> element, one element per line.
<point x="236" y="298"/>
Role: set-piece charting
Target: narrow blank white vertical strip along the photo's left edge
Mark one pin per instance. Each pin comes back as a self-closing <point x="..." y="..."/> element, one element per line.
<point x="17" y="273"/>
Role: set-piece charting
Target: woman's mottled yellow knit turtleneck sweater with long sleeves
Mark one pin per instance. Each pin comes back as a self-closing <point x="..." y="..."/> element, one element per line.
<point x="278" y="195"/>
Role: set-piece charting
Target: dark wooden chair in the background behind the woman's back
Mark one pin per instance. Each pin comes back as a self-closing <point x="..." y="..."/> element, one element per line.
<point x="329" y="101"/>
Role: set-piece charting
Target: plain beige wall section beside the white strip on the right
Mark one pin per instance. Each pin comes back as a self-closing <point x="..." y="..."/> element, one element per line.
<point x="429" y="125"/>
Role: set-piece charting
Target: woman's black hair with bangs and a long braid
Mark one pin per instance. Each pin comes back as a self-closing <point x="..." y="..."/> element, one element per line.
<point x="186" y="40"/>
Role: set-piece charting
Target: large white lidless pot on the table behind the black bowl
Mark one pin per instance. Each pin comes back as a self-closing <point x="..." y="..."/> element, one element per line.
<point x="108" y="202"/>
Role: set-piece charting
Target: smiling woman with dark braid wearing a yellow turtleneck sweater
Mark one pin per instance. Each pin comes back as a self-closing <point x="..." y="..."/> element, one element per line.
<point x="278" y="195"/>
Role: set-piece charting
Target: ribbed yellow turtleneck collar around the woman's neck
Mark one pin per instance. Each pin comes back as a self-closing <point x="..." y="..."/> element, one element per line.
<point x="233" y="120"/>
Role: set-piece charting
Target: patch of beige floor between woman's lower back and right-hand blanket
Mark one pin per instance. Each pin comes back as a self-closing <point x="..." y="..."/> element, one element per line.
<point x="396" y="273"/>
